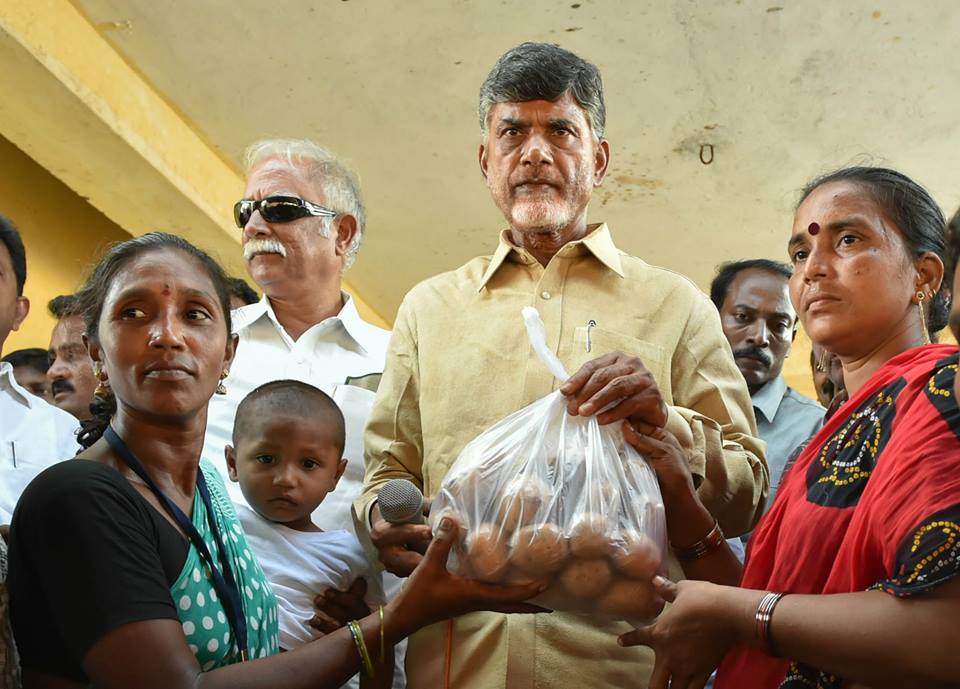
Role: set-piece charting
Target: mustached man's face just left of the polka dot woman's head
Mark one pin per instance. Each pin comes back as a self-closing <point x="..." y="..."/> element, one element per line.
<point x="71" y="376"/>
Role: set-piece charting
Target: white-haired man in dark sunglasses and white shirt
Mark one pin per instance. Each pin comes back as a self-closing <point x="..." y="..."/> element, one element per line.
<point x="302" y="220"/>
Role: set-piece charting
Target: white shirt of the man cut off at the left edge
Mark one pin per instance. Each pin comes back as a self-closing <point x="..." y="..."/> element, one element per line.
<point x="33" y="435"/>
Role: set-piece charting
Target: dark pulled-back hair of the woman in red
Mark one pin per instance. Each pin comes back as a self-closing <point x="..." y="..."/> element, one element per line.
<point x="916" y="215"/>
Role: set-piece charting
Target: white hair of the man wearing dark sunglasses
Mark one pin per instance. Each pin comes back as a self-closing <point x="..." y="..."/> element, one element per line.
<point x="339" y="184"/>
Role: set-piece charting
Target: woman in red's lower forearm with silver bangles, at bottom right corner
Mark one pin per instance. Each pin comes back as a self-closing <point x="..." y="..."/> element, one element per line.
<point x="869" y="637"/>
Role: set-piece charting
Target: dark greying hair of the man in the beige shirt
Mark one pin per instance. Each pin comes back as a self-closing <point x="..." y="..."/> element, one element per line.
<point x="544" y="71"/>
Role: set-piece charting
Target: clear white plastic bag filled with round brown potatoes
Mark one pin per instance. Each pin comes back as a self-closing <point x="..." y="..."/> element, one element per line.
<point x="546" y="494"/>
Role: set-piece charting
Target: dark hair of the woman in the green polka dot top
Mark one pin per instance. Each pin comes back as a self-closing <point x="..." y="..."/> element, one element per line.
<point x="91" y="297"/>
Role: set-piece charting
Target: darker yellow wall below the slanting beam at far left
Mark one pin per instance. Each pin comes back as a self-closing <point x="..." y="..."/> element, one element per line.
<point x="62" y="233"/>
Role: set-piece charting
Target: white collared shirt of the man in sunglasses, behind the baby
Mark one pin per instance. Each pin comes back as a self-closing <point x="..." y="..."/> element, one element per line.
<point x="339" y="355"/>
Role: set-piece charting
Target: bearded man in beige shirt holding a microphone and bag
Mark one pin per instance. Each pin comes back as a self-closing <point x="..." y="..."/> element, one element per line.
<point x="459" y="361"/>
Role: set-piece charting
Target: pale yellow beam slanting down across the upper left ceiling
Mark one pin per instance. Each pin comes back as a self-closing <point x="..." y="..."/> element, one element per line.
<point x="86" y="115"/>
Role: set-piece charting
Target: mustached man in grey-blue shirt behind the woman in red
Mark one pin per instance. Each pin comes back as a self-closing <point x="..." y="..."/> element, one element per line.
<point x="759" y="322"/>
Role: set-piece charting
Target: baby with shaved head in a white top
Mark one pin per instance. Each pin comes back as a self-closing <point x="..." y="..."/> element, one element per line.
<point x="287" y="455"/>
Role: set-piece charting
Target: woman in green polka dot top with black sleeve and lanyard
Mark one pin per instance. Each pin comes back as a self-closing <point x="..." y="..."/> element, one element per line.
<point x="128" y="567"/>
